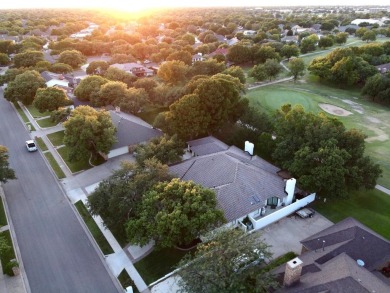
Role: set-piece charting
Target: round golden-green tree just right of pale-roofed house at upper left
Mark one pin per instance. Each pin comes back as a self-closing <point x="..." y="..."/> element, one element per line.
<point x="89" y="88"/>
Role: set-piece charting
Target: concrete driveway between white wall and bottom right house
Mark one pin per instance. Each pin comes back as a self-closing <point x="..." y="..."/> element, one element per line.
<point x="286" y="234"/>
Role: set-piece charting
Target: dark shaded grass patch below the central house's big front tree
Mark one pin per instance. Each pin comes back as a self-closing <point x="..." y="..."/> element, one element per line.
<point x="159" y="263"/>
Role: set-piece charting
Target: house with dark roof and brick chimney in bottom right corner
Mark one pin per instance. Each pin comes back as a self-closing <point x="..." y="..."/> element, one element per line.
<point x="346" y="257"/>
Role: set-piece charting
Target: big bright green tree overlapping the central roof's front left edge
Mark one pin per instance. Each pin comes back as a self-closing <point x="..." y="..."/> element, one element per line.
<point x="174" y="213"/>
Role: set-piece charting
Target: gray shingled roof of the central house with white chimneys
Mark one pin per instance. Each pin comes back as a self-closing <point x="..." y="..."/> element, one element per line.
<point x="242" y="183"/>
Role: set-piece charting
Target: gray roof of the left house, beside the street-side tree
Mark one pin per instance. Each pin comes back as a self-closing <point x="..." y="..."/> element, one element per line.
<point x="131" y="132"/>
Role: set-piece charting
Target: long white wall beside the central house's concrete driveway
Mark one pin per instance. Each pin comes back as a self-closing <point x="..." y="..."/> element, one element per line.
<point x="279" y="214"/>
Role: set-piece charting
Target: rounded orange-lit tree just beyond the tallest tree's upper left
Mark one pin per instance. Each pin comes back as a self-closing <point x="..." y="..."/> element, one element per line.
<point x="173" y="72"/>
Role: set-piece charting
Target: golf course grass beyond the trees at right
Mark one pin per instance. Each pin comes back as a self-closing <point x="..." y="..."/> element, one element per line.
<point x="371" y="118"/>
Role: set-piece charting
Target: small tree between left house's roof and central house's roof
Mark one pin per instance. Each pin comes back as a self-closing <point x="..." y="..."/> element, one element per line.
<point x="167" y="150"/>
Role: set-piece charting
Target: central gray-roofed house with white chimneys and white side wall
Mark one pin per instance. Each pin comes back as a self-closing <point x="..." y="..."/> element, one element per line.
<point x="246" y="187"/>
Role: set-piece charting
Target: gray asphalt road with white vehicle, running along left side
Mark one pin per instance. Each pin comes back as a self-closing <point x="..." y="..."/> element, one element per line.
<point x="57" y="254"/>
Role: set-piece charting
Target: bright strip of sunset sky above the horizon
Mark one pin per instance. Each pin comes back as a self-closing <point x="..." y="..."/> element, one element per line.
<point x="138" y="5"/>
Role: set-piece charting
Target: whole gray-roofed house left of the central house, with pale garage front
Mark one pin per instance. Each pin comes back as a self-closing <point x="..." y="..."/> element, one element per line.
<point x="131" y="131"/>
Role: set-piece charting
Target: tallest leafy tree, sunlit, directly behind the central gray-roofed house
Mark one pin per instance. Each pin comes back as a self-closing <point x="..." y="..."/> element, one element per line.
<point x="211" y="103"/>
